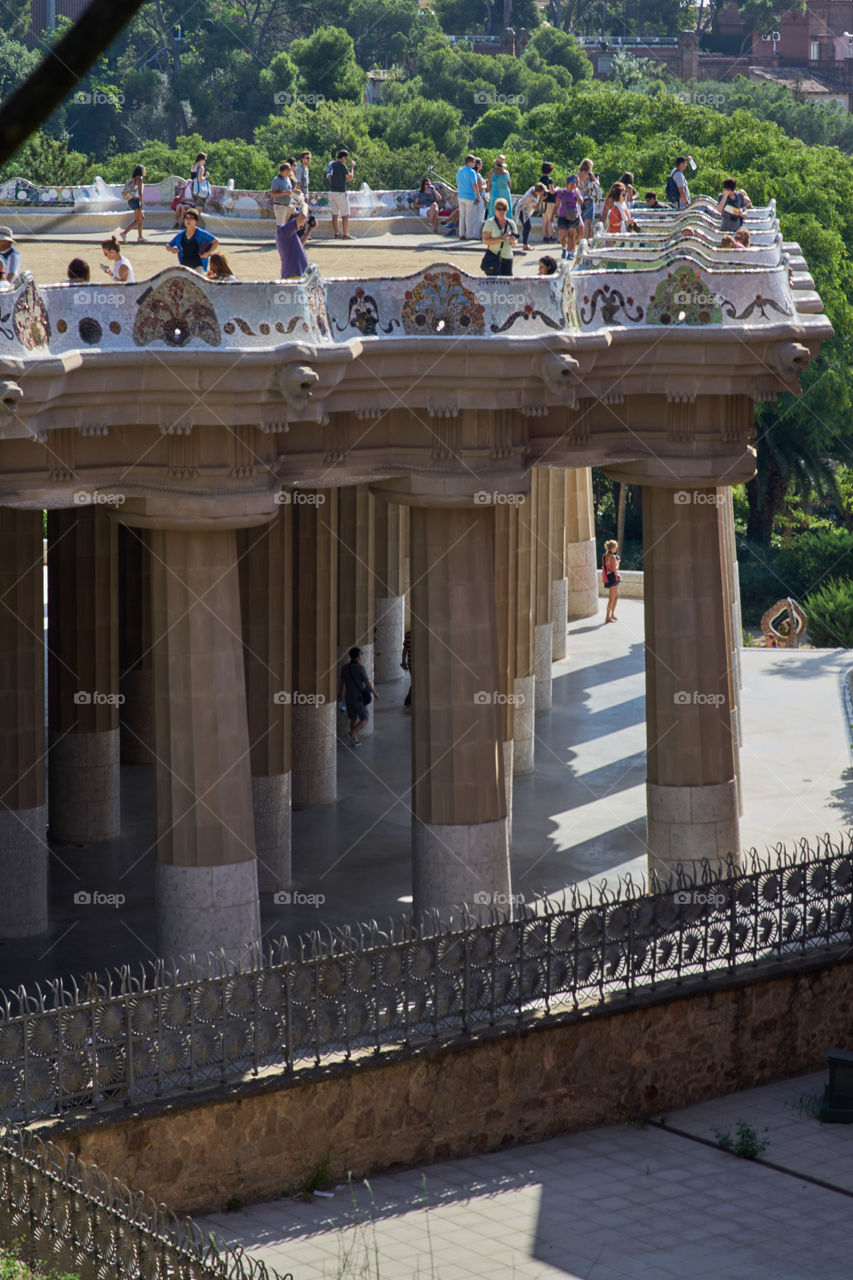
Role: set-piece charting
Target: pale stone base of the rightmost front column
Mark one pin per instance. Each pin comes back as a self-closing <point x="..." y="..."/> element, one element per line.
<point x="686" y="825"/>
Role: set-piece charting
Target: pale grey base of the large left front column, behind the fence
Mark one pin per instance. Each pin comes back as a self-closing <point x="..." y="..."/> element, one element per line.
<point x="209" y="909"/>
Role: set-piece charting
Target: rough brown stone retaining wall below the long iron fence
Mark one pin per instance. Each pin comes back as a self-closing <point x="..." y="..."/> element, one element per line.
<point x="667" y="1052"/>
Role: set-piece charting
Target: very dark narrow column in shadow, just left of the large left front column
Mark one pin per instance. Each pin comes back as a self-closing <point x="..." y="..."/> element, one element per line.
<point x="136" y="683"/>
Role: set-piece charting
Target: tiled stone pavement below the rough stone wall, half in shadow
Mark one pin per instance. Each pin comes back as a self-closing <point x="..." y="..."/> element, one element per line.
<point x="617" y="1204"/>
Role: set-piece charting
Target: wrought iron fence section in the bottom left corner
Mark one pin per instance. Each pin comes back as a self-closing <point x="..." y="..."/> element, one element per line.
<point x="76" y="1219"/>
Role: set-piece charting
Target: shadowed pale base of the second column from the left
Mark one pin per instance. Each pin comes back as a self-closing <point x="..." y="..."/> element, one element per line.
<point x="84" y="788"/>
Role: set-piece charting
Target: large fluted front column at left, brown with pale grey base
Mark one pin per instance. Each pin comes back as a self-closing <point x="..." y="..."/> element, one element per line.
<point x="207" y="875"/>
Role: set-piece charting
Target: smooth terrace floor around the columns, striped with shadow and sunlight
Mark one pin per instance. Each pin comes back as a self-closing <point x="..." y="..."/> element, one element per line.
<point x="580" y="816"/>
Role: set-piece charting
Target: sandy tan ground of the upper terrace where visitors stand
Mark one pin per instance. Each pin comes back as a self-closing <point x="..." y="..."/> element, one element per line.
<point x="48" y="258"/>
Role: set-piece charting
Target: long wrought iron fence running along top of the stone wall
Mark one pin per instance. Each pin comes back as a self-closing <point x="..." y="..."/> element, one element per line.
<point x="134" y="1036"/>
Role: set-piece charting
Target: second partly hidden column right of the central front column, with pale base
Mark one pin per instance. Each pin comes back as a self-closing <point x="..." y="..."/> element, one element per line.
<point x="524" y="683"/>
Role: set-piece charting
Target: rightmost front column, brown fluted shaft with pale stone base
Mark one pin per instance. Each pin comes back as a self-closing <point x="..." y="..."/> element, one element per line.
<point x="691" y="789"/>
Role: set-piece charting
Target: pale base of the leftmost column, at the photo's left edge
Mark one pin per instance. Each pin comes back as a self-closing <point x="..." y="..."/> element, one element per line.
<point x="24" y="872"/>
